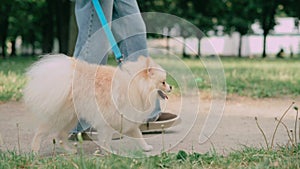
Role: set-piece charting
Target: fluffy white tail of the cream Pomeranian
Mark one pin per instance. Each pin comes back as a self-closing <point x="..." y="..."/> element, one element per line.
<point x="49" y="84"/>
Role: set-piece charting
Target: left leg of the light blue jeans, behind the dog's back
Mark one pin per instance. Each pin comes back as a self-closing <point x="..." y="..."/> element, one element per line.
<point x="91" y="45"/>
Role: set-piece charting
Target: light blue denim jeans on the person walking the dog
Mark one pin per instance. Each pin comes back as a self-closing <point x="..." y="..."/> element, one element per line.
<point x="92" y="45"/>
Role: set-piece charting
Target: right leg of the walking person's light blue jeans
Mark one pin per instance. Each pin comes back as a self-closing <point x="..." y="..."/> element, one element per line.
<point x="129" y="28"/>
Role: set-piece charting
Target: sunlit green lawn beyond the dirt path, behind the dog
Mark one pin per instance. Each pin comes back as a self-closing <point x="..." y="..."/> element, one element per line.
<point x="257" y="78"/>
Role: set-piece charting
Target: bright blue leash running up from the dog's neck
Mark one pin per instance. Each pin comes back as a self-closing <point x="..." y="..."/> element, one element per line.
<point x="110" y="36"/>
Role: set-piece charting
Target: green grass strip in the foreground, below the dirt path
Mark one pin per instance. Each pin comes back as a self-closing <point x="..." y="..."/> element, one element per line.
<point x="283" y="157"/>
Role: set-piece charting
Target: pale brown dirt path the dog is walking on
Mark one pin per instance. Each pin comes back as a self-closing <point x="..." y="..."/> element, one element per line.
<point x="236" y="129"/>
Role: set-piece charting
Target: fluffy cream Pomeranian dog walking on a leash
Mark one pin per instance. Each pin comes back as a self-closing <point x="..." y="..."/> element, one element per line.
<point x="61" y="89"/>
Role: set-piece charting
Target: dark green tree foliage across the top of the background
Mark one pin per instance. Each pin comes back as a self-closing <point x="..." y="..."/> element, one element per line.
<point x="40" y="21"/>
